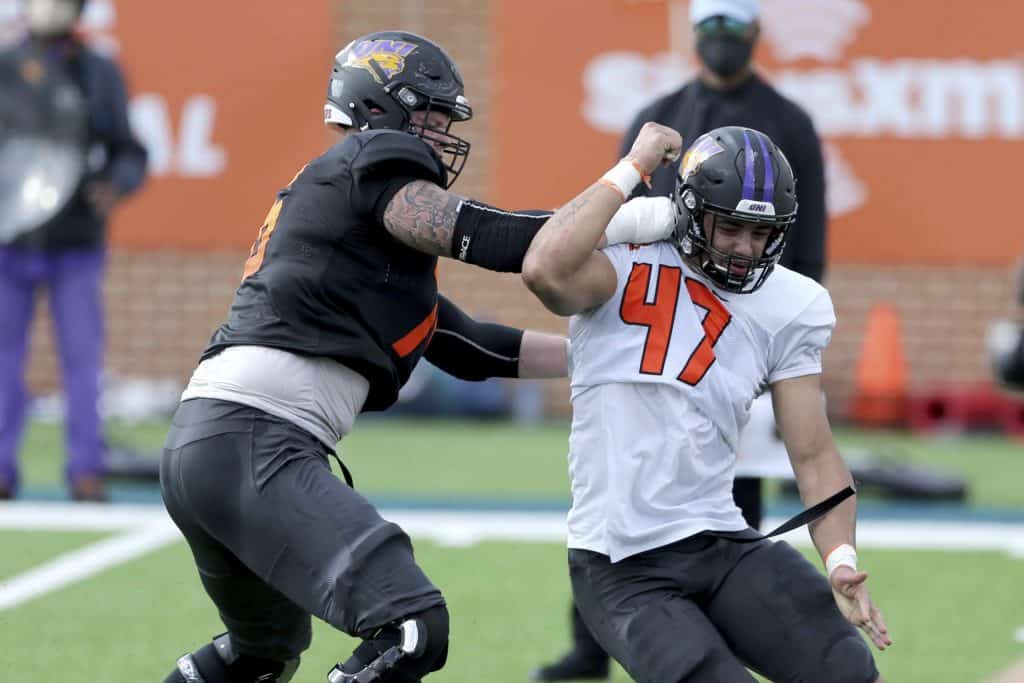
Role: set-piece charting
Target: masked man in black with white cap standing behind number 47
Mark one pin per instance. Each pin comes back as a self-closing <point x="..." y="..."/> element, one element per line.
<point x="728" y="93"/>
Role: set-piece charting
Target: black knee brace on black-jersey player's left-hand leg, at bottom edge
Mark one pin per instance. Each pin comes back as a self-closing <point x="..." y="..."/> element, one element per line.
<point x="219" y="663"/>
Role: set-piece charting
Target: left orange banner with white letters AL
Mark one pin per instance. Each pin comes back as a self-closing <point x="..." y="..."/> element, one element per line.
<point x="227" y="98"/>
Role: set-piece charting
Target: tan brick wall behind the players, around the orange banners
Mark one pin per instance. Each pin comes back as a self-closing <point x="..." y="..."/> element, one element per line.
<point x="162" y="307"/>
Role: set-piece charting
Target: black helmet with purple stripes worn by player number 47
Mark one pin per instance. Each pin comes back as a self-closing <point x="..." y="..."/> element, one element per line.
<point x="738" y="175"/>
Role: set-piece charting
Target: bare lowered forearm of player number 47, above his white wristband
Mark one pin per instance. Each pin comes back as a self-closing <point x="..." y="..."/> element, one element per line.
<point x="820" y="478"/>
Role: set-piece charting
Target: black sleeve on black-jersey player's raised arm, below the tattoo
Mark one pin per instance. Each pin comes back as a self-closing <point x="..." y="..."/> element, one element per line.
<point x="494" y="239"/>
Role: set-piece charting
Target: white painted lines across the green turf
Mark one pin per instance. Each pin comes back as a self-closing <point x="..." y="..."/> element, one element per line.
<point x="146" y="529"/>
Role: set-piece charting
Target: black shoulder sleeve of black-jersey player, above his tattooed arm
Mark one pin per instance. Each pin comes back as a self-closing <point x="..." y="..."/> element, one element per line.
<point x="387" y="162"/>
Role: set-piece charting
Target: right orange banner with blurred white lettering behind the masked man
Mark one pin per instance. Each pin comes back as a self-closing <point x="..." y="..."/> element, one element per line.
<point x="920" y="105"/>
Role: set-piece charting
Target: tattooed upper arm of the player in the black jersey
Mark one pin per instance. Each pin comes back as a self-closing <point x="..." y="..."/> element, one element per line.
<point x="422" y="216"/>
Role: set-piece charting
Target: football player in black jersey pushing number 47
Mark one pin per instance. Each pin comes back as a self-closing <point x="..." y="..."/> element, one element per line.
<point x="337" y="304"/>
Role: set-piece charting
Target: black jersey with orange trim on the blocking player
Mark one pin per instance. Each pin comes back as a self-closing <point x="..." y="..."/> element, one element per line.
<point x="325" y="278"/>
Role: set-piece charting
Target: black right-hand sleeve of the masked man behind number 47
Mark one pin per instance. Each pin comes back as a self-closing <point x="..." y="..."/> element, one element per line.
<point x="805" y="252"/>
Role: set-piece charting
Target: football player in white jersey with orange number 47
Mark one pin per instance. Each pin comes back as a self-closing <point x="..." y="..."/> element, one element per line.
<point x="671" y="344"/>
